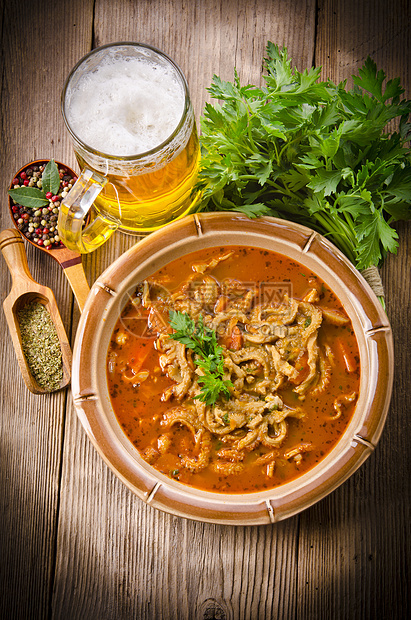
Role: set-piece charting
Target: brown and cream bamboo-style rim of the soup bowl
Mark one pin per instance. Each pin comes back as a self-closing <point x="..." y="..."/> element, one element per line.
<point x="107" y="297"/>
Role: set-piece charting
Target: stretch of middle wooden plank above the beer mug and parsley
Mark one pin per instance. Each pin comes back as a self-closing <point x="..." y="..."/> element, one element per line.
<point x="211" y="36"/>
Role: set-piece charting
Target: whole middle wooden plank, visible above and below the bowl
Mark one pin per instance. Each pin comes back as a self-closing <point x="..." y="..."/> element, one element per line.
<point x="117" y="557"/>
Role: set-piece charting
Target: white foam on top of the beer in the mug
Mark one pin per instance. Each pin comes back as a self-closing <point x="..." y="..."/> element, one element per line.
<point x="125" y="106"/>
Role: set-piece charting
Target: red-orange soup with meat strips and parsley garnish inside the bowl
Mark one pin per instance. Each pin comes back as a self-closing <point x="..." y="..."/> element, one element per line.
<point x="281" y="350"/>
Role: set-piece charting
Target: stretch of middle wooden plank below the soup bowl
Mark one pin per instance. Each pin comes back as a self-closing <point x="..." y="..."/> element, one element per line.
<point x="118" y="558"/>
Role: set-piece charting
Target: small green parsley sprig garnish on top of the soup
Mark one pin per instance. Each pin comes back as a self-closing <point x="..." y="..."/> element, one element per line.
<point x="207" y="355"/>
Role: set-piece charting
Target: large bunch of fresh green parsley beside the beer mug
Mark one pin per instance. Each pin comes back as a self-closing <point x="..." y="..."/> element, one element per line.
<point x="312" y="152"/>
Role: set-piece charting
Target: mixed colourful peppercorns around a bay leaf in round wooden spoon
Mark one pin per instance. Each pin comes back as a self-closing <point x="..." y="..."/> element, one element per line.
<point x="39" y="225"/>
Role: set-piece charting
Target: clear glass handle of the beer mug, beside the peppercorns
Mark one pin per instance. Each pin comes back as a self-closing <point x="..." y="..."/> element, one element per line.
<point x="76" y="231"/>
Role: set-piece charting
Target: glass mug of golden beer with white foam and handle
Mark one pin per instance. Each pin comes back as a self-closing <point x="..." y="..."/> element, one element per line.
<point x="128" y="111"/>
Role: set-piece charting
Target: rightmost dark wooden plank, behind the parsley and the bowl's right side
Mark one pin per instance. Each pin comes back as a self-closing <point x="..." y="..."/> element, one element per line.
<point x="351" y="557"/>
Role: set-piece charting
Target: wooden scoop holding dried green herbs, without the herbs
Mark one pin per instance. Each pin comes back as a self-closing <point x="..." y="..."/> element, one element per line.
<point x="25" y="290"/>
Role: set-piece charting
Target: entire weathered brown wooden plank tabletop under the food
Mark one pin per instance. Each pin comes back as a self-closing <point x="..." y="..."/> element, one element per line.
<point x="74" y="542"/>
